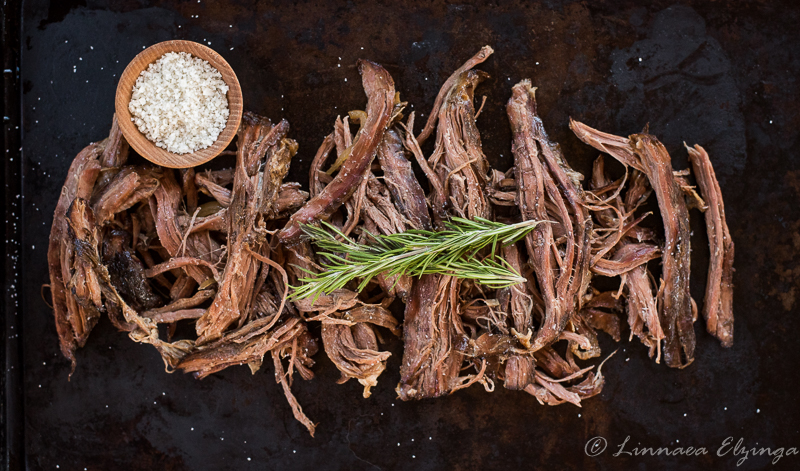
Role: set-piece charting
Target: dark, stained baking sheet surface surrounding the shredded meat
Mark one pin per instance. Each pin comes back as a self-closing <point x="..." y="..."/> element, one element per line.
<point x="721" y="74"/>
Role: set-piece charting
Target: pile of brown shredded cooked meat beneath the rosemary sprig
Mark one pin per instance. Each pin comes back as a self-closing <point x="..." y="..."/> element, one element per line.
<point x="199" y="263"/>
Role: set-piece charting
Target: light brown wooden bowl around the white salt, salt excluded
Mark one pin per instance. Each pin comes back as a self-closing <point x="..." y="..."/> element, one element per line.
<point x="147" y="148"/>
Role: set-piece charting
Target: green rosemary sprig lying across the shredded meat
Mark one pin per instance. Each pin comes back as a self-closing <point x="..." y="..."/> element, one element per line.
<point x="452" y="251"/>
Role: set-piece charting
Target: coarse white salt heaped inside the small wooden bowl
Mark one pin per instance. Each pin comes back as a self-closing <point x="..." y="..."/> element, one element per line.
<point x="179" y="103"/>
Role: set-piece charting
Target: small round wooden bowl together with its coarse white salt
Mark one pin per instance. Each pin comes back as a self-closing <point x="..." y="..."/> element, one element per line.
<point x="179" y="104"/>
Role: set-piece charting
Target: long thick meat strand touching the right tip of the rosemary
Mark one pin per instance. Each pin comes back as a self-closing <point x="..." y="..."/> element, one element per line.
<point x="550" y="191"/>
